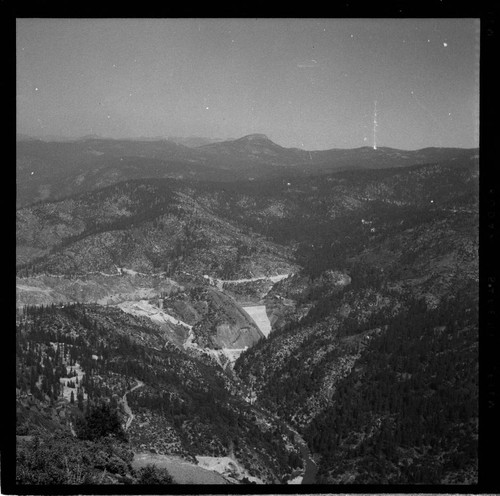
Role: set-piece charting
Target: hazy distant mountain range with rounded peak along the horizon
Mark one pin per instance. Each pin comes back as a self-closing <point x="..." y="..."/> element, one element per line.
<point x="54" y="169"/>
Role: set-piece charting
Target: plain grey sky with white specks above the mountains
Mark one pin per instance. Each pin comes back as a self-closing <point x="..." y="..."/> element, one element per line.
<point x="305" y="83"/>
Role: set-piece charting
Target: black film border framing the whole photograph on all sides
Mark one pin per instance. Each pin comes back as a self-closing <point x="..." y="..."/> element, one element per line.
<point x="489" y="86"/>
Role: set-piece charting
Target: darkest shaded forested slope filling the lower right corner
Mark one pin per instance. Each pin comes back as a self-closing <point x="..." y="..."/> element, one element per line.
<point x="410" y="405"/>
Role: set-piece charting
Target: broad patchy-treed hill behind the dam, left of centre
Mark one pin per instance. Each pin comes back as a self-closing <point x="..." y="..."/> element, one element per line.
<point x="144" y="226"/>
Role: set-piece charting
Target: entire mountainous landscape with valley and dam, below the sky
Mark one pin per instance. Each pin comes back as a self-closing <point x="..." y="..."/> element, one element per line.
<point x="141" y="262"/>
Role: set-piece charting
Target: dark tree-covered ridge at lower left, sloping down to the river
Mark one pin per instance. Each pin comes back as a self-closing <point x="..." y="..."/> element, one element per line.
<point x="186" y="395"/>
